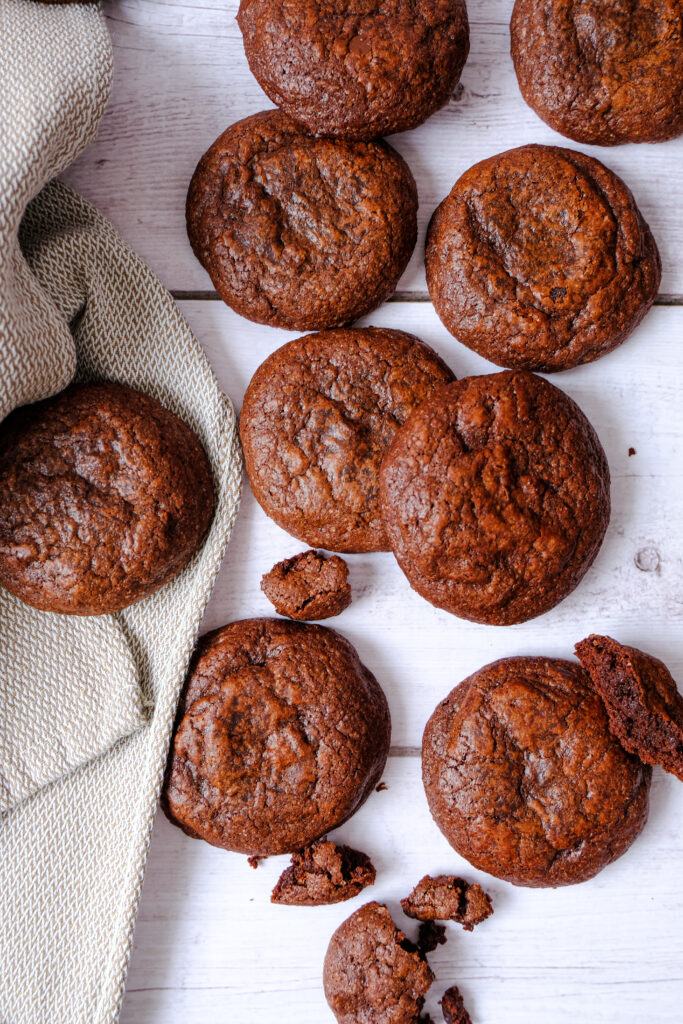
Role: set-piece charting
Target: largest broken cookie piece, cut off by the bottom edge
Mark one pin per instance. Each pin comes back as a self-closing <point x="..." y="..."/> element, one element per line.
<point x="372" y="973"/>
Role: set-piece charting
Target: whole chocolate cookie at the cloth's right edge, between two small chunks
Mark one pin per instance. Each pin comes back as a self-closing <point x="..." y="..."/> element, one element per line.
<point x="282" y="736"/>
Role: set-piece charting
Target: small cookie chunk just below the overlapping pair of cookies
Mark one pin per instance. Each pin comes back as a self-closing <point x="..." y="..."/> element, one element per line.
<point x="309" y="586"/>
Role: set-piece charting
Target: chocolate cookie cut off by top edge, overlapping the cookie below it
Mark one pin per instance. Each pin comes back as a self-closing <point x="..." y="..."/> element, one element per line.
<point x="358" y="70"/>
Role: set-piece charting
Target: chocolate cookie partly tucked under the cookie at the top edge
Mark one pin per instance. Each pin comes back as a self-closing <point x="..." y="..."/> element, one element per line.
<point x="300" y="232"/>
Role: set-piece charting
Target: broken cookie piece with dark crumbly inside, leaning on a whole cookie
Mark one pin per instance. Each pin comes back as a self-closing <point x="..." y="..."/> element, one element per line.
<point x="643" y="701"/>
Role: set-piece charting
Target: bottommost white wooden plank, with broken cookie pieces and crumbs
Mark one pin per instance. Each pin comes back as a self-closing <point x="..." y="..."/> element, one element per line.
<point x="209" y="948"/>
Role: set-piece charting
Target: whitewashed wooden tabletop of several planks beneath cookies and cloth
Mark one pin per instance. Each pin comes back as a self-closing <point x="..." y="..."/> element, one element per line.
<point x="209" y="948"/>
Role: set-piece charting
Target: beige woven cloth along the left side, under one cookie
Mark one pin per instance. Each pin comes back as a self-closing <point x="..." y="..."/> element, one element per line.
<point x="87" y="705"/>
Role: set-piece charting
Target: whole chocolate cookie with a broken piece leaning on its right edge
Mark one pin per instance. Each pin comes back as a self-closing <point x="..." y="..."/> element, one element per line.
<point x="525" y="779"/>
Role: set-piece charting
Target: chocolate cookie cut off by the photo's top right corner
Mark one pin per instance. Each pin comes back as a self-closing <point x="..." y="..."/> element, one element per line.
<point x="603" y="72"/>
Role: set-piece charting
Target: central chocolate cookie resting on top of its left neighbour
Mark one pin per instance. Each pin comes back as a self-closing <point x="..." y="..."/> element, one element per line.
<point x="496" y="497"/>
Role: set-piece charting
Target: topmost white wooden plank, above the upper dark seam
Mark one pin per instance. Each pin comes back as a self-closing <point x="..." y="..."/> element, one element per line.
<point x="182" y="78"/>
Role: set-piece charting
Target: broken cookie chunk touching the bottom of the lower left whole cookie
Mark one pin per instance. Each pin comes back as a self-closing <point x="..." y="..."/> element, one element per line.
<point x="324" y="873"/>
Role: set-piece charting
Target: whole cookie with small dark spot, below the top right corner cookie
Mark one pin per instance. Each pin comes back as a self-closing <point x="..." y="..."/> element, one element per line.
<point x="540" y="260"/>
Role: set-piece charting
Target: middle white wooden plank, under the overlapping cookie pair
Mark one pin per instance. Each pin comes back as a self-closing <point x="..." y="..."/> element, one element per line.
<point x="418" y="653"/>
